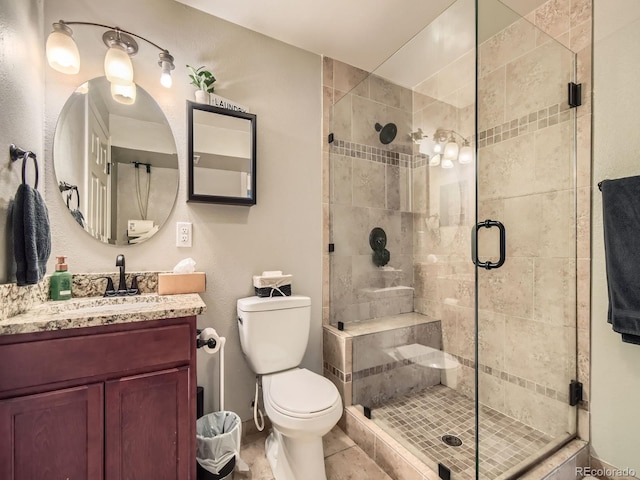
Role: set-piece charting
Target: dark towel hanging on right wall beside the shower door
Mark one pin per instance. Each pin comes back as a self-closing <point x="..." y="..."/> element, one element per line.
<point x="621" y="219"/>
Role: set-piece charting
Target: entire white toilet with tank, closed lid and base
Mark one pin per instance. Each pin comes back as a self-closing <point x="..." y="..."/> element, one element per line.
<point x="302" y="405"/>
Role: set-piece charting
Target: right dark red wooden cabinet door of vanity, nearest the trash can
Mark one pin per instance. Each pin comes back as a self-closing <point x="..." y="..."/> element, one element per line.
<point x="148" y="427"/>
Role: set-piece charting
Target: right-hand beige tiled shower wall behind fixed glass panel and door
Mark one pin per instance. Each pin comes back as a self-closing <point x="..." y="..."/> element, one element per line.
<point x="521" y="123"/>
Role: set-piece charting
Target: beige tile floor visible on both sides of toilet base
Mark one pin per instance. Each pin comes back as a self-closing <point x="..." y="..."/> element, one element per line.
<point x="344" y="460"/>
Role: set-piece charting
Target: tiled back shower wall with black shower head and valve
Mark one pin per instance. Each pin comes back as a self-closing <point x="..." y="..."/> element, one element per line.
<point x="369" y="187"/>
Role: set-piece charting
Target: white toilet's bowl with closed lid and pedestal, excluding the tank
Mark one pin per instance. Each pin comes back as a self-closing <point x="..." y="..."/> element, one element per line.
<point x="302" y="406"/>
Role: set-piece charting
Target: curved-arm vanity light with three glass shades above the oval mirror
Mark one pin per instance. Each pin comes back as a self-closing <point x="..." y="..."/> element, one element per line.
<point x="63" y="55"/>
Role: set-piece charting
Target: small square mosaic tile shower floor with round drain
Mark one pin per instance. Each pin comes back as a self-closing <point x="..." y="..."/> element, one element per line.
<point x="421" y="419"/>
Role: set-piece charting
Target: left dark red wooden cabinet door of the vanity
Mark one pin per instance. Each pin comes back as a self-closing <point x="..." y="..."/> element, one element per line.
<point x="53" y="435"/>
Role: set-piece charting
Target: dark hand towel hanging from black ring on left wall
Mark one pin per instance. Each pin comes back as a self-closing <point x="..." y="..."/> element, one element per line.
<point x="31" y="235"/>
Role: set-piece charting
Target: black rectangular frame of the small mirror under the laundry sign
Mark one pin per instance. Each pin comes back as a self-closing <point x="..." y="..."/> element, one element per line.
<point x="221" y="199"/>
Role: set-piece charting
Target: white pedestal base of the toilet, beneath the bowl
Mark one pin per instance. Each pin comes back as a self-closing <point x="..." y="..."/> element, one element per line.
<point x="295" y="458"/>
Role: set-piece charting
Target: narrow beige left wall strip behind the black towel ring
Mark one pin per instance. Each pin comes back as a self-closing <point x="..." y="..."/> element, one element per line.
<point x="22" y="99"/>
